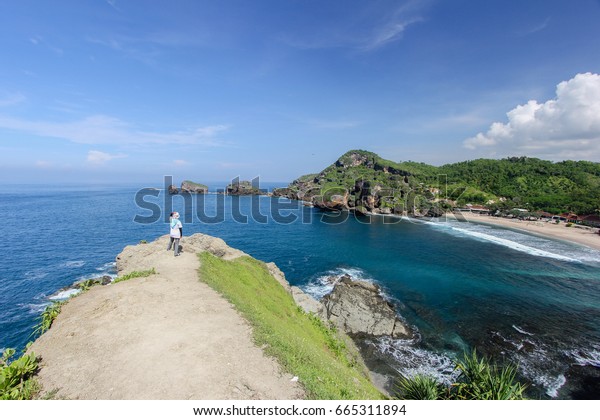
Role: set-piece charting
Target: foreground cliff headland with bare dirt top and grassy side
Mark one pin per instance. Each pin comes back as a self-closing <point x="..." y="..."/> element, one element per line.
<point x="171" y="336"/>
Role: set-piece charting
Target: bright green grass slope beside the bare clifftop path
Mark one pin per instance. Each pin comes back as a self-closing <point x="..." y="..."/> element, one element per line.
<point x="303" y="344"/>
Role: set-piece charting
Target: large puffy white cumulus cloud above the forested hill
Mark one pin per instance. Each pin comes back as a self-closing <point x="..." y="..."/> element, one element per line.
<point x="566" y="127"/>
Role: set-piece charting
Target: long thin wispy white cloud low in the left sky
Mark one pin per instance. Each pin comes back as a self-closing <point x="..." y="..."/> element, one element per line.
<point x="102" y="129"/>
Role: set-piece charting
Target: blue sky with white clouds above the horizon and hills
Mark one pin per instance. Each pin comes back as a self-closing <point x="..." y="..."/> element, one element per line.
<point x="131" y="90"/>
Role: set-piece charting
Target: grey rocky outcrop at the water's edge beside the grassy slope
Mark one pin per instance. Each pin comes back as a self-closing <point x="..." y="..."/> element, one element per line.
<point x="358" y="308"/>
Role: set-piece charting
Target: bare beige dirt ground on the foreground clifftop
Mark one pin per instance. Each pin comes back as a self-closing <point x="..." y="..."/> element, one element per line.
<point x="167" y="336"/>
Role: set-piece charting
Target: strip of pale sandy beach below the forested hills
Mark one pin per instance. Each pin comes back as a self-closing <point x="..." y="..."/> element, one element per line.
<point x="582" y="236"/>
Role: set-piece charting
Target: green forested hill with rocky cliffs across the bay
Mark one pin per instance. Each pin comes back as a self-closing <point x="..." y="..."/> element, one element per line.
<point x="363" y="181"/>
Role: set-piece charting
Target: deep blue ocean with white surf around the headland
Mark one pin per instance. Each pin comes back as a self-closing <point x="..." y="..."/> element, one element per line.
<point x="514" y="297"/>
